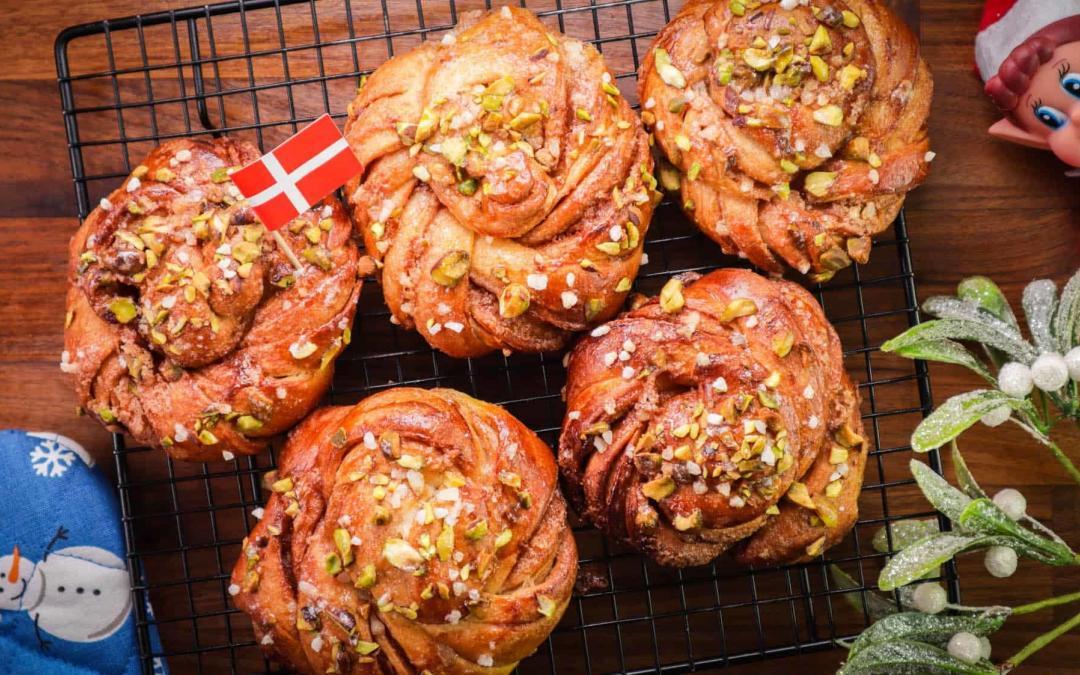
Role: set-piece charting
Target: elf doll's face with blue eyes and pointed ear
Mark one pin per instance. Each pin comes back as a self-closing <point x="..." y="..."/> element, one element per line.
<point x="1048" y="116"/>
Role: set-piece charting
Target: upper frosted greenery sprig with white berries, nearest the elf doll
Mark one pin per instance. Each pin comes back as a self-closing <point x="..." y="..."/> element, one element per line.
<point x="1036" y="381"/>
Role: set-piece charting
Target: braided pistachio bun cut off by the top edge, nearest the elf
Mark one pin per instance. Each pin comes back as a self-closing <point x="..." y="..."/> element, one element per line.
<point x="798" y="132"/>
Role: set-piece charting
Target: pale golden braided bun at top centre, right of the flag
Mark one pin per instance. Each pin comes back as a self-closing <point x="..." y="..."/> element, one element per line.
<point x="508" y="186"/>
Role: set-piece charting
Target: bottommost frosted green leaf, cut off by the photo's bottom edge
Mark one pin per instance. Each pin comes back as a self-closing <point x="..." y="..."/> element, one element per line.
<point x="903" y="657"/>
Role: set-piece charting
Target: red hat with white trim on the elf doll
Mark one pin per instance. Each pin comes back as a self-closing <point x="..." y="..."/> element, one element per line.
<point x="1008" y="23"/>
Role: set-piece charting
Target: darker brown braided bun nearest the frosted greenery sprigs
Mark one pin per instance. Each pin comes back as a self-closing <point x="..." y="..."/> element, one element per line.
<point x="694" y="416"/>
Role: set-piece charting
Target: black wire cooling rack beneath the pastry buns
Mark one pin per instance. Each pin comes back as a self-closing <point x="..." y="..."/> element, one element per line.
<point x="261" y="70"/>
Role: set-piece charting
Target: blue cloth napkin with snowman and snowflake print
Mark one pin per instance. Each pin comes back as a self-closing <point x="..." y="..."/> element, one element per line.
<point x="65" y="591"/>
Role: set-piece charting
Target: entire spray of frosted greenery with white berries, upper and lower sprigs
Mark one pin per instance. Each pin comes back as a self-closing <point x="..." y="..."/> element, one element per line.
<point x="1036" y="387"/>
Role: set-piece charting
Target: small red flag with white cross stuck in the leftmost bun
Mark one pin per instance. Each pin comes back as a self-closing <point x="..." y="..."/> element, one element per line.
<point x="288" y="181"/>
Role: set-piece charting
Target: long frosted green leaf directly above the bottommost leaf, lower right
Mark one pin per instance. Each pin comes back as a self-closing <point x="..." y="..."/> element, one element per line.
<point x="933" y="629"/>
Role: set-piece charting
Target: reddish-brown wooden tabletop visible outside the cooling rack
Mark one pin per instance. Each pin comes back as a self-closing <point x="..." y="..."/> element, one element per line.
<point x="988" y="208"/>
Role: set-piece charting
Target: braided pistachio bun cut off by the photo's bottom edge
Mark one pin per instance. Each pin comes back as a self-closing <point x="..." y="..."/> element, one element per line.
<point x="416" y="532"/>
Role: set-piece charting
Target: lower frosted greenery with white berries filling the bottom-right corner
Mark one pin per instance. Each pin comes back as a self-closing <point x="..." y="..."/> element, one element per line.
<point x="929" y="636"/>
